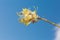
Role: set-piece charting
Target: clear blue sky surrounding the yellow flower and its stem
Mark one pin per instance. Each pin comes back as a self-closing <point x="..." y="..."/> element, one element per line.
<point x="11" y="29"/>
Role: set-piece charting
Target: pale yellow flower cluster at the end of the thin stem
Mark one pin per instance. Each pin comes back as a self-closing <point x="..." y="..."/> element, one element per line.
<point x="29" y="16"/>
